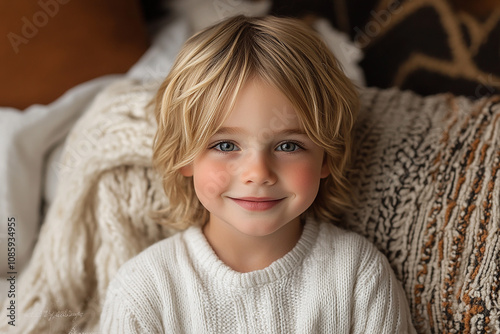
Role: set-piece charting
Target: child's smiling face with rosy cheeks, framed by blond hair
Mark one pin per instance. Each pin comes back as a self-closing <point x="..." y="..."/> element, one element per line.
<point x="260" y="171"/>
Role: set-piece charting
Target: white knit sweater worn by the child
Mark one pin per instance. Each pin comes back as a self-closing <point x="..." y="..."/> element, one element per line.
<point x="332" y="281"/>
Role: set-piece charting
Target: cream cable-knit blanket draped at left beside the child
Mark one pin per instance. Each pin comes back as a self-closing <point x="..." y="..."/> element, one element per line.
<point x="98" y="219"/>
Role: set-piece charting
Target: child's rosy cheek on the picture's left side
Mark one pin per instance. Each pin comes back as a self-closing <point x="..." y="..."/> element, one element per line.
<point x="211" y="178"/>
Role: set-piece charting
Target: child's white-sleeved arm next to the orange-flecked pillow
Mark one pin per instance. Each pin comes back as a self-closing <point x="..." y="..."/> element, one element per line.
<point x="380" y="304"/>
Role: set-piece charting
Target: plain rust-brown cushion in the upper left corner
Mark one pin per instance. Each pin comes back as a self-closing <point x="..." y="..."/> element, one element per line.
<point x="53" y="45"/>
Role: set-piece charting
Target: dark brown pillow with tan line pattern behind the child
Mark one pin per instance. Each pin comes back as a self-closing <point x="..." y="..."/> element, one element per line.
<point x="426" y="46"/>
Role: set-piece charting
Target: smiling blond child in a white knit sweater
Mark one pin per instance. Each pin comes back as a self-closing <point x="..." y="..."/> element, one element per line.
<point x="253" y="141"/>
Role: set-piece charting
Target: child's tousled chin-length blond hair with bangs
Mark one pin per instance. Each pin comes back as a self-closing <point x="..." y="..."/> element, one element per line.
<point x="200" y="92"/>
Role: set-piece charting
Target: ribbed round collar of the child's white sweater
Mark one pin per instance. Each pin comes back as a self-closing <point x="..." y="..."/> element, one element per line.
<point x="207" y="261"/>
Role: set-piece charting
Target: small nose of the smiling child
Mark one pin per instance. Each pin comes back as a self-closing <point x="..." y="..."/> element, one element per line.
<point x="258" y="169"/>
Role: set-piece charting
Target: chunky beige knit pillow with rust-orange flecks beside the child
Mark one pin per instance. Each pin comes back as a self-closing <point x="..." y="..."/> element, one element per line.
<point x="428" y="182"/>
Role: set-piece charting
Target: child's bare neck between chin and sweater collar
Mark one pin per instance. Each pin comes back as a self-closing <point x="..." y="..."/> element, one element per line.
<point x="244" y="253"/>
